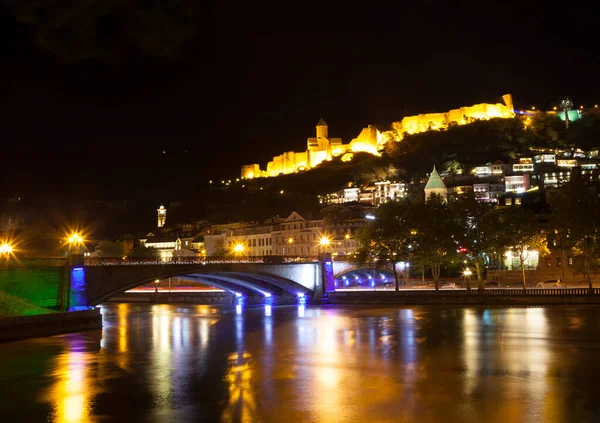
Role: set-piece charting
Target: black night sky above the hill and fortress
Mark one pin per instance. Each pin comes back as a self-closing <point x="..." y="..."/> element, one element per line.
<point x="255" y="77"/>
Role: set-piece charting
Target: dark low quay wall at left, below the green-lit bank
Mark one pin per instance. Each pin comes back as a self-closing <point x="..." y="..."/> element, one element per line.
<point x="53" y="323"/>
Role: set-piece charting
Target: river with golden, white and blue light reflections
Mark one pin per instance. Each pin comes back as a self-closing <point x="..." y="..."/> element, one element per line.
<point x="169" y="363"/>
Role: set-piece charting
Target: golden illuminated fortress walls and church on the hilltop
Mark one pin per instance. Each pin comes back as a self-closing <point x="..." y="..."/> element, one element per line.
<point x="370" y="140"/>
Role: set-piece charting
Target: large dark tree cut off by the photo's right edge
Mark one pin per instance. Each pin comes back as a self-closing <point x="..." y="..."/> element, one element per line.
<point x="575" y="214"/>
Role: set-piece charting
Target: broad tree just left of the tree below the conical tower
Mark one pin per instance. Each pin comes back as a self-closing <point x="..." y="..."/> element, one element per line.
<point x="386" y="239"/>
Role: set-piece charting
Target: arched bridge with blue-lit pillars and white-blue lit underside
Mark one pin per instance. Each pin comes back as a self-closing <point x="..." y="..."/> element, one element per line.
<point x="96" y="280"/>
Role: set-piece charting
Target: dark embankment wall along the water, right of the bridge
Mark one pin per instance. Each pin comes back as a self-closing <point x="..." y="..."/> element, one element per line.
<point x="489" y="297"/>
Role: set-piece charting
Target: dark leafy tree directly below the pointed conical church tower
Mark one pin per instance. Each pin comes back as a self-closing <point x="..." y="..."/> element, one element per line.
<point x="432" y="236"/>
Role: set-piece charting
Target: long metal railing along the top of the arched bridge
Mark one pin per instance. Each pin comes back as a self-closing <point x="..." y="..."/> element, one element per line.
<point x="118" y="261"/>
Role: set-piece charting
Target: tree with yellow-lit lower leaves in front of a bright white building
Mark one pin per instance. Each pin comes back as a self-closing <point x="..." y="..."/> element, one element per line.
<point x="524" y="235"/>
